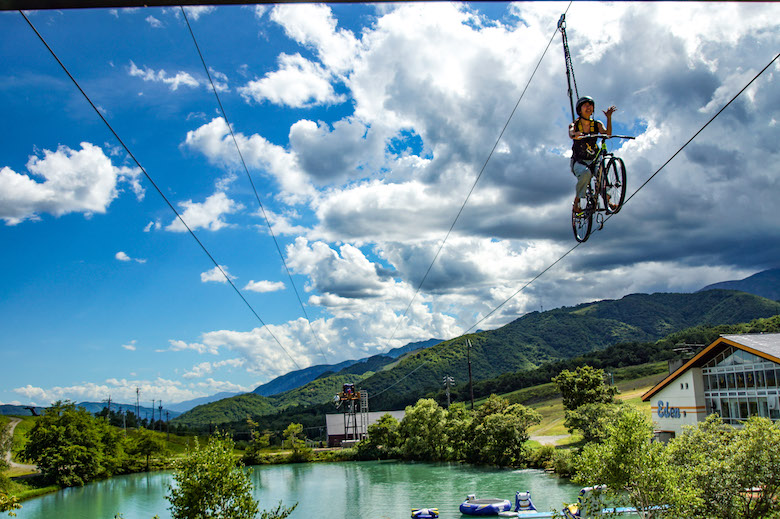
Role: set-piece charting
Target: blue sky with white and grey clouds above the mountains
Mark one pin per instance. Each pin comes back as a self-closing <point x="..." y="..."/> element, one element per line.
<point x="363" y="128"/>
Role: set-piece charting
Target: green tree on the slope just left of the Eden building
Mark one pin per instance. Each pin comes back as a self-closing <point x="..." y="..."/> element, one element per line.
<point x="585" y="385"/>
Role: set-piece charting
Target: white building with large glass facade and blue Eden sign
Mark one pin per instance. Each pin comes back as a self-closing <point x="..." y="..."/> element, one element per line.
<point x="737" y="376"/>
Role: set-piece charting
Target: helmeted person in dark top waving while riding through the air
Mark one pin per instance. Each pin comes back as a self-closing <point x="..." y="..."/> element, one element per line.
<point x="584" y="149"/>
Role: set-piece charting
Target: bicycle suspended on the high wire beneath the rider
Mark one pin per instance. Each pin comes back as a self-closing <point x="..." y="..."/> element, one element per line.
<point x="606" y="190"/>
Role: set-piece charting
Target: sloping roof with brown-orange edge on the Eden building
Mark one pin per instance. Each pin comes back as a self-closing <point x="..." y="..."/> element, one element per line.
<point x="765" y="345"/>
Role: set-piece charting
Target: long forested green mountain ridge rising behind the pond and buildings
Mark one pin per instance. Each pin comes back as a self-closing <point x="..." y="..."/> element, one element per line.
<point x="523" y="344"/>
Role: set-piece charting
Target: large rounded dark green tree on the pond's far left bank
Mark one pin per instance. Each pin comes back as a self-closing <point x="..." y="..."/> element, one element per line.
<point x="72" y="447"/>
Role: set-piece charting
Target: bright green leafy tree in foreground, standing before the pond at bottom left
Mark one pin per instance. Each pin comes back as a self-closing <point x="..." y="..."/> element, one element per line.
<point x="209" y="485"/>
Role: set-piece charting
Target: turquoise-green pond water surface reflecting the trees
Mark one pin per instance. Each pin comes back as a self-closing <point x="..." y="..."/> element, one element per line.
<point x="362" y="490"/>
